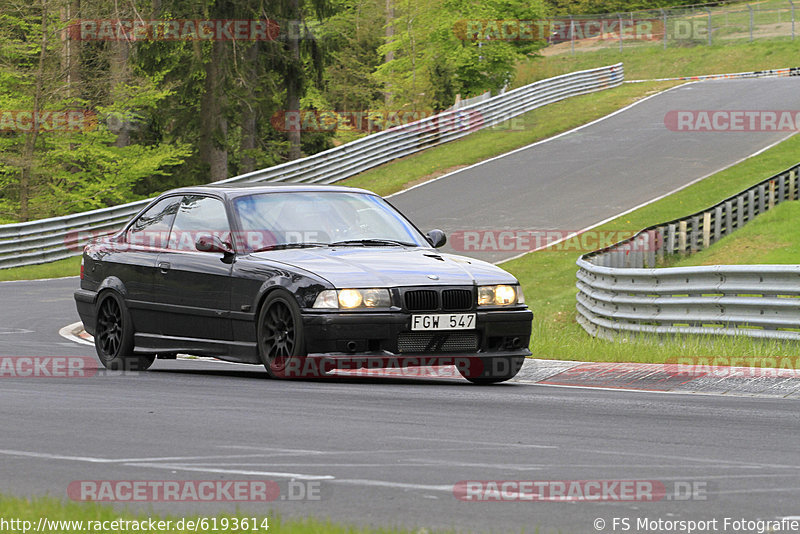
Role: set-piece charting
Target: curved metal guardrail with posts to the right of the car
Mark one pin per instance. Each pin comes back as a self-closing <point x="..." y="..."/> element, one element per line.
<point x="620" y="291"/>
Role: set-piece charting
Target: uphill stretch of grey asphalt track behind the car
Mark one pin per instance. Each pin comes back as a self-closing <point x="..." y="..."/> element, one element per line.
<point x="596" y="172"/>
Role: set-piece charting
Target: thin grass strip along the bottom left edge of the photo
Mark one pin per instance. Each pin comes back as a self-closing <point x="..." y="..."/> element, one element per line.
<point x="54" y="510"/>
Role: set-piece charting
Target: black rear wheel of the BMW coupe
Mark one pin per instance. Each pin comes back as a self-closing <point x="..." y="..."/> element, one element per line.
<point x="113" y="336"/>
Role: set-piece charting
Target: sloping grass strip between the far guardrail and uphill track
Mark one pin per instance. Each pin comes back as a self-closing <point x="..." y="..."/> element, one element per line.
<point x="523" y="130"/>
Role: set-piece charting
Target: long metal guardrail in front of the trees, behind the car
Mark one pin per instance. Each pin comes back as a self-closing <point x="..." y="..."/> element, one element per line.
<point x="52" y="239"/>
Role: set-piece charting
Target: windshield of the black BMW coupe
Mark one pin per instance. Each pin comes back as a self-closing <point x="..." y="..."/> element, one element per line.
<point x="321" y="218"/>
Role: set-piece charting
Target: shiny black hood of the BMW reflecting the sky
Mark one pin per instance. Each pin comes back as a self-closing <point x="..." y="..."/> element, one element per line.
<point x="388" y="267"/>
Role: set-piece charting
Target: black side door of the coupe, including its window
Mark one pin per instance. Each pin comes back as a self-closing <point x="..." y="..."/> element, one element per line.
<point x="195" y="286"/>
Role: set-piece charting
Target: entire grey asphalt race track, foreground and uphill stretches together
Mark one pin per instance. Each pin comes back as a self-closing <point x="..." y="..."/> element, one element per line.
<point x="384" y="451"/>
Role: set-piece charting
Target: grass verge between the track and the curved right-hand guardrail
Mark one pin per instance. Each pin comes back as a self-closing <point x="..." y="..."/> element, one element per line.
<point x="548" y="278"/>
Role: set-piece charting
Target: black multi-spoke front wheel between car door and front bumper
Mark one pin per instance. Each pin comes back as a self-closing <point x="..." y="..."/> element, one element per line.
<point x="281" y="338"/>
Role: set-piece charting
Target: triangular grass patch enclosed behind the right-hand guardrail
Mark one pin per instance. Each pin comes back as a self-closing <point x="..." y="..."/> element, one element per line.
<point x="770" y="238"/>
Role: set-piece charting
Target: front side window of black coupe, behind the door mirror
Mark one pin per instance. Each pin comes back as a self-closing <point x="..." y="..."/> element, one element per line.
<point x="198" y="216"/>
